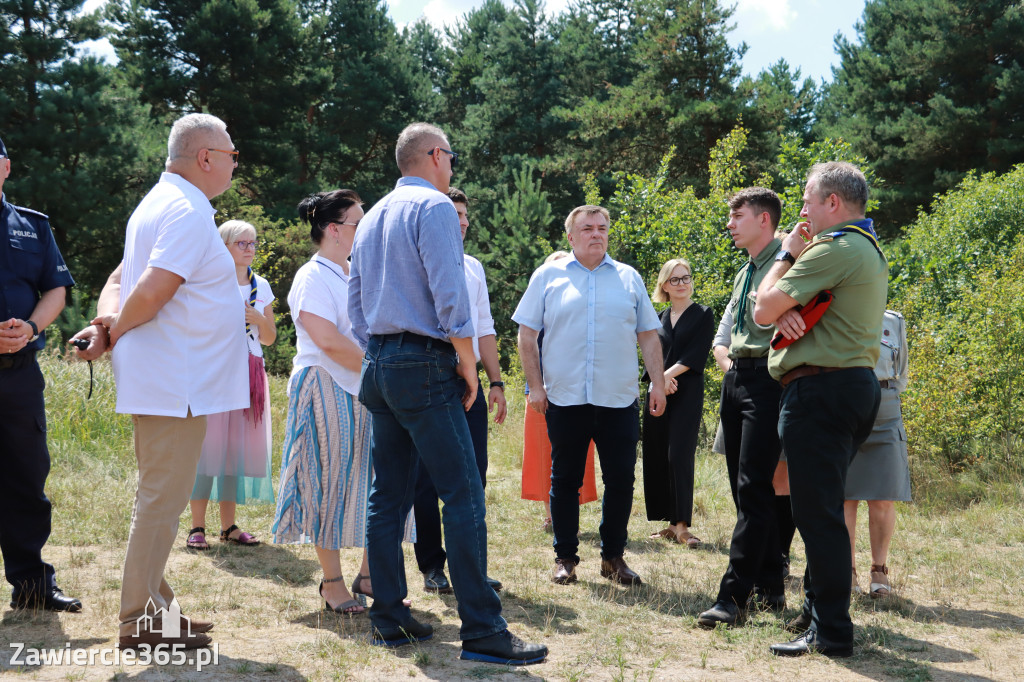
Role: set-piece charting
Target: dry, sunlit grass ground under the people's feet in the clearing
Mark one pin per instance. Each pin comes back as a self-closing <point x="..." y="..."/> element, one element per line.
<point x="959" y="573"/>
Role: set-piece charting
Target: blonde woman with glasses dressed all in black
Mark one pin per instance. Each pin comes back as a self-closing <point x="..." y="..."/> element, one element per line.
<point x="671" y="441"/>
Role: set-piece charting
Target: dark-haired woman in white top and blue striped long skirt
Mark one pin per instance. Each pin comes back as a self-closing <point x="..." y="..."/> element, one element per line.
<point x="326" y="468"/>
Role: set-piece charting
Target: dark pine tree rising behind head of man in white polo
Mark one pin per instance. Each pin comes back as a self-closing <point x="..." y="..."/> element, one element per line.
<point x="238" y="60"/>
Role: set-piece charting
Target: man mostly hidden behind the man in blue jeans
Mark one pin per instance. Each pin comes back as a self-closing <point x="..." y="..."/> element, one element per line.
<point x="431" y="555"/>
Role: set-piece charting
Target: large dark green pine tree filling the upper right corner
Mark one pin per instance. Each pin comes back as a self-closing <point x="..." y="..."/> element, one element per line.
<point x="931" y="91"/>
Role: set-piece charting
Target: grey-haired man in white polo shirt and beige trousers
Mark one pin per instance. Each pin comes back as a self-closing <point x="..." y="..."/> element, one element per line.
<point x="173" y="317"/>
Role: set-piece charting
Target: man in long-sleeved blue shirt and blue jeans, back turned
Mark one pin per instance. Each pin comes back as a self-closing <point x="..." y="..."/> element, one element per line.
<point x="411" y="314"/>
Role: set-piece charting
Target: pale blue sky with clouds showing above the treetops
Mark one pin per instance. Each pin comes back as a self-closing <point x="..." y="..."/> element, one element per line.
<point x="799" y="31"/>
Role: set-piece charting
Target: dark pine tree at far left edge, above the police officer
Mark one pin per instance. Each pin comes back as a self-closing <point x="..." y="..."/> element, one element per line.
<point x="80" y="147"/>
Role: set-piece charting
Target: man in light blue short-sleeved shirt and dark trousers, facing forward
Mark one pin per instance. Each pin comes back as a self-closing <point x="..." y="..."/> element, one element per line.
<point x="593" y="312"/>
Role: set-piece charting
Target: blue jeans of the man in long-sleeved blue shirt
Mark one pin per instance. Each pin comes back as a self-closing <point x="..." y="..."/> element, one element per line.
<point x="411" y="388"/>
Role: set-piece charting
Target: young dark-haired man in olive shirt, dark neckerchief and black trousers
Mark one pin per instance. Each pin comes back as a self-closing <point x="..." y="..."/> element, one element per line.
<point x="750" y="422"/>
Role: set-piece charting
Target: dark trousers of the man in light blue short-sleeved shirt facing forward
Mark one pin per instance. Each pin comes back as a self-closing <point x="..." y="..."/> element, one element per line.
<point x="616" y="433"/>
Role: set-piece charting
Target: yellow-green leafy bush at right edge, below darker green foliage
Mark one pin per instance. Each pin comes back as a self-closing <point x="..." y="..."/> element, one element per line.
<point x="966" y="401"/>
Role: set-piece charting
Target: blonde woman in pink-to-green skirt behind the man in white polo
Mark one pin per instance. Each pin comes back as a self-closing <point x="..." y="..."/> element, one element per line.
<point x="235" y="466"/>
